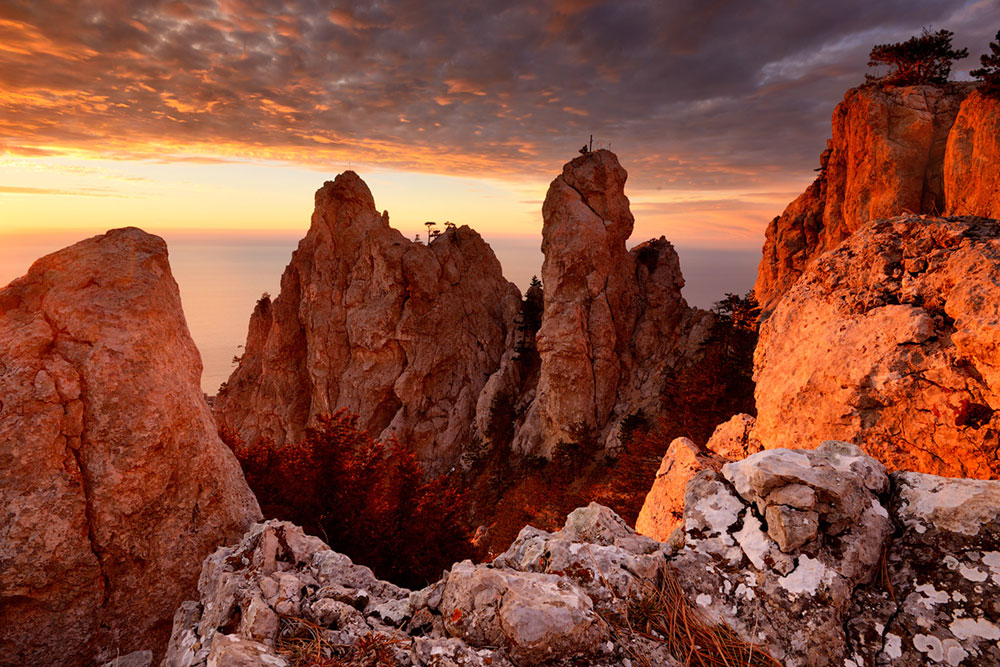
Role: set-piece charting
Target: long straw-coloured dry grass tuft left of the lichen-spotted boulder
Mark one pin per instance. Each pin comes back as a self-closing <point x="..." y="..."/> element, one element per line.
<point x="663" y="614"/>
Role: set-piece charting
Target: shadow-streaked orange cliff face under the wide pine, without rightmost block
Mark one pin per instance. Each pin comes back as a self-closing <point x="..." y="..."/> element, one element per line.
<point x="886" y="157"/>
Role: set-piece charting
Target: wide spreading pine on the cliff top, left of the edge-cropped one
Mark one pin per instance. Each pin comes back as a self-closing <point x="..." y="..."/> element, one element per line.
<point x="924" y="59"/>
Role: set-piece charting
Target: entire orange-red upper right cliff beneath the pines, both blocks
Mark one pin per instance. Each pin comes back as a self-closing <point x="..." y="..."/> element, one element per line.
<point x="913" y="149"/>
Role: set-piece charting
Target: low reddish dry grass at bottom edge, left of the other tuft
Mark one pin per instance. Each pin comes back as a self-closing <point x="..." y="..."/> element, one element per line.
<point x="302" y="644"/>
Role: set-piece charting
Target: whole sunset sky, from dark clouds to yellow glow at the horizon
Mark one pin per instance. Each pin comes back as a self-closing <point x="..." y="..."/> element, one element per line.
<point x="210" y="116"/>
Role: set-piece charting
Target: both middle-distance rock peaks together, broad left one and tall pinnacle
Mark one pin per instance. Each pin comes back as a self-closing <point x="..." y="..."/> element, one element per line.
<point x="429" y="343"/>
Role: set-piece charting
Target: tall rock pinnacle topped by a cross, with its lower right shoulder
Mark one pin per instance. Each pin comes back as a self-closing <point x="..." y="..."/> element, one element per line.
<point x="614" y="326"/>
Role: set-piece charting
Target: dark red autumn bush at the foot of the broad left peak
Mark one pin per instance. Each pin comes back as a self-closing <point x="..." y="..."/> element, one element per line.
<point x="365" y="498"/>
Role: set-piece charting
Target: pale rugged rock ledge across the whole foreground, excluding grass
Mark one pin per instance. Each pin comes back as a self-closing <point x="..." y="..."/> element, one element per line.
<point x="786" y="547"/>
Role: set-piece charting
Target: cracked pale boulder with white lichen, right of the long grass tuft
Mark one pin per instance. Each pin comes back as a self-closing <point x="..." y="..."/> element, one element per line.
<point x="775" y="545"/>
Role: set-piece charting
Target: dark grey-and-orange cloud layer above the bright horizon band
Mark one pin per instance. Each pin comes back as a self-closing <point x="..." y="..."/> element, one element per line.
<point x="707" y="94"/>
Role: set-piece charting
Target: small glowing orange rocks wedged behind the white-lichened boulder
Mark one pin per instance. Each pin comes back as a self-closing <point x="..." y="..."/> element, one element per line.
<point x="663" y="509"/>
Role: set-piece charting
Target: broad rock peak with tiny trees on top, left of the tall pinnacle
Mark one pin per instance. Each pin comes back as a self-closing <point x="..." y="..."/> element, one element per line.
<point x="401" y="333"/>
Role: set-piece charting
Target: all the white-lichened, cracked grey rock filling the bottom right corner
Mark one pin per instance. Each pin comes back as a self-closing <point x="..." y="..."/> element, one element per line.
<point x="828" y="561"/>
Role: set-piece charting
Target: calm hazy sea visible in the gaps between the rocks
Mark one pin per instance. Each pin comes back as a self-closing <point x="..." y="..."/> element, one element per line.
<point x="222" y="274"/>
